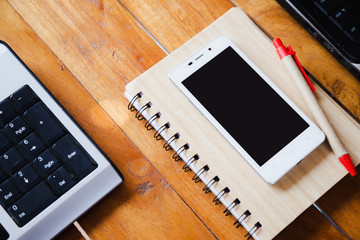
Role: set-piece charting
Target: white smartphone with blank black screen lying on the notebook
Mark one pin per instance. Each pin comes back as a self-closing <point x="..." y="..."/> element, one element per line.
<point x="248" y="109"/>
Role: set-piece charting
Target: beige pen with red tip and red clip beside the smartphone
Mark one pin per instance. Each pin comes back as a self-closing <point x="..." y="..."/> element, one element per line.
<point x="292" y="64"/>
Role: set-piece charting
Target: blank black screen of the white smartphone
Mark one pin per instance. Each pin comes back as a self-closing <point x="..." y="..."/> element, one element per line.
<point x="245" y="105"/>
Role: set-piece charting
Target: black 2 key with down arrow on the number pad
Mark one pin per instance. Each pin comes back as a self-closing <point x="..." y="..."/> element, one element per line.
<point x="26" y="178"/>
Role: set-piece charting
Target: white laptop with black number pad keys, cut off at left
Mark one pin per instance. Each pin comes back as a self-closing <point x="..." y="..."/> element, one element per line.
<point x="51" y="172"/>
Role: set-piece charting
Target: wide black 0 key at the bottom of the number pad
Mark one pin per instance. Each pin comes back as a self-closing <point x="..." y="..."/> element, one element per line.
<point x="31" y="204"/>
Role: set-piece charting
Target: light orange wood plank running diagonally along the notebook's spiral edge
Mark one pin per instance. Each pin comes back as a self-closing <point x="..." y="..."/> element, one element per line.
<point x="105" y="49"/>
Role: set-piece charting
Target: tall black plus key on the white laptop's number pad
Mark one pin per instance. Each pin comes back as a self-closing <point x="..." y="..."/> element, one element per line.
<point x="44" y="123"/>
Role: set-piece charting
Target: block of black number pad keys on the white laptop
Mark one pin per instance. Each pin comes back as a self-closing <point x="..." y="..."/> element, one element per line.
<point x="39" y="159"/>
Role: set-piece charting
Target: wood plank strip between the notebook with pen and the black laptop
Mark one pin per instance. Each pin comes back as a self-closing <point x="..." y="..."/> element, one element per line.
<point x="276" y="22"/>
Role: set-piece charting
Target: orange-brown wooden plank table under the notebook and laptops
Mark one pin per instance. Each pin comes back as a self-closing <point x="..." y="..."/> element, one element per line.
<point x="85" y="52"/>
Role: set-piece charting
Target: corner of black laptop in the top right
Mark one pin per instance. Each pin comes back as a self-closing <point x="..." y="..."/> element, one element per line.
<point x="335" y="23"/>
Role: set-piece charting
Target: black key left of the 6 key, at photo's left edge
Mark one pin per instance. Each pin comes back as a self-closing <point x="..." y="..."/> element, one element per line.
<point x="11" y="161"/>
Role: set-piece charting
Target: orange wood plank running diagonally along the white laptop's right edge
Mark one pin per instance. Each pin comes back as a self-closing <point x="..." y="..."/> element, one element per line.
<point x="145" y="201"/>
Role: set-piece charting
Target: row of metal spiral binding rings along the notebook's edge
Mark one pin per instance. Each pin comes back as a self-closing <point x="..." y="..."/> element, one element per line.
<point x="186" y="166"/>
